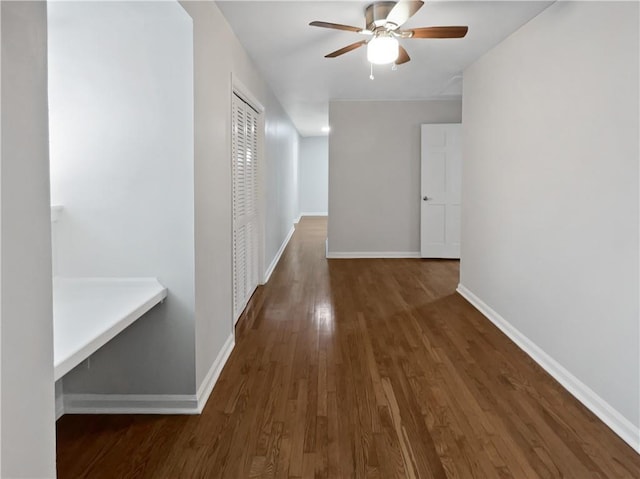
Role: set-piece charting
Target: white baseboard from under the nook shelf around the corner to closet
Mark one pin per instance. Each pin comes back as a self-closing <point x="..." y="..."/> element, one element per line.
<point x="147" y="403"/>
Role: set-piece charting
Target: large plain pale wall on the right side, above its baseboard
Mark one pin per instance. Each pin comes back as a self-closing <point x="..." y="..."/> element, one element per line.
<point x="550" y="195"/>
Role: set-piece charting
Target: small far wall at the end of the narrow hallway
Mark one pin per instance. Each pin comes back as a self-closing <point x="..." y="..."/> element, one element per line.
<point x="313" y="175"/>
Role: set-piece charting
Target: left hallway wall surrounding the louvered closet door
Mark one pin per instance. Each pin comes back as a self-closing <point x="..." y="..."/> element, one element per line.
<point x="217" y="55"/>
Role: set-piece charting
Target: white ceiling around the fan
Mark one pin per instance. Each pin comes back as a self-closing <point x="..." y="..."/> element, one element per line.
<point x="290" y="53"/>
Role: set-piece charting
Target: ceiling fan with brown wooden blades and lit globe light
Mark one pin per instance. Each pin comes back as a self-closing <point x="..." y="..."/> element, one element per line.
<point x="382" y="23"/>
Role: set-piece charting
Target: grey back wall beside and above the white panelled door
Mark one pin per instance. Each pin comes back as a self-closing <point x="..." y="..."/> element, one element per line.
<point x="374" y="174"/>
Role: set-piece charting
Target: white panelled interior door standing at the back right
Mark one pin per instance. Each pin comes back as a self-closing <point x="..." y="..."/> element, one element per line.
<point x="441" y="177"/>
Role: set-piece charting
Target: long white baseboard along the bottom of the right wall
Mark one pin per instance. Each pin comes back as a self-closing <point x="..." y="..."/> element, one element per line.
<point x="583" y="393"/>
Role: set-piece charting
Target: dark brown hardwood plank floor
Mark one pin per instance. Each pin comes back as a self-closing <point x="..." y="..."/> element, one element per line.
<point x="360" y="368"/>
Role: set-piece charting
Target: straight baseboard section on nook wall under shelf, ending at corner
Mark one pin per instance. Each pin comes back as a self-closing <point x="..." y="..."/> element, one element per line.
<point x="130" y="404"/>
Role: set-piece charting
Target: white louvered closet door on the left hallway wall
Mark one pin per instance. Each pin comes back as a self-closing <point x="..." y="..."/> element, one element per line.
<point x="245" y="203"/>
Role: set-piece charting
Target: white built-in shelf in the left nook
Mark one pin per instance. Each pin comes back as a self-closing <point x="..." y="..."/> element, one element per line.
<point x="89" y="312"/>
